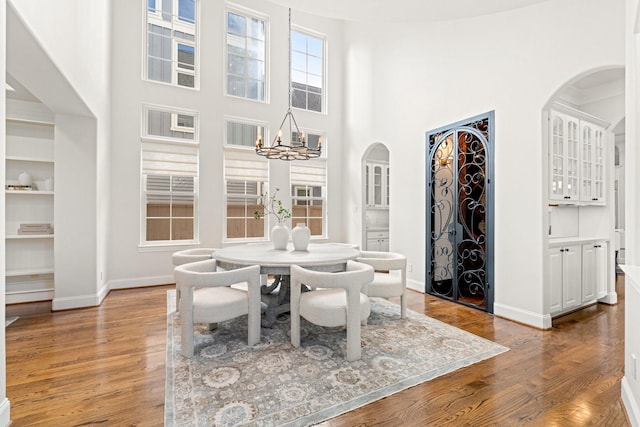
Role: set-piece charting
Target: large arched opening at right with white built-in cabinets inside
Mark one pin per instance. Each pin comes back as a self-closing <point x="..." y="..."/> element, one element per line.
<point x="593" y="97"/>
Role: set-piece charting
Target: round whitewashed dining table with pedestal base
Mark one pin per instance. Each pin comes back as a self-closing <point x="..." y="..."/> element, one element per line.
<point x="327" y="257"/>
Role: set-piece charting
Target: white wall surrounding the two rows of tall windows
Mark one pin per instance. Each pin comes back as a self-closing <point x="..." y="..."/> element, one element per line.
<point x="130" y="265"/>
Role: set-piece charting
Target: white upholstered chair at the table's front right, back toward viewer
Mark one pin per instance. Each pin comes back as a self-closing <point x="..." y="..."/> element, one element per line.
<point x="336" y="299"/>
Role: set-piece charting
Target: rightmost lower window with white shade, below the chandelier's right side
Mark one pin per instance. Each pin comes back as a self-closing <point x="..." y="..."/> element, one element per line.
<point x="308" y="195"/>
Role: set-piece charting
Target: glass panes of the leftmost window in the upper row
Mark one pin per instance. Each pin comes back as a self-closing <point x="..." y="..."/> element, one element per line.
<point x="172" y="42"/>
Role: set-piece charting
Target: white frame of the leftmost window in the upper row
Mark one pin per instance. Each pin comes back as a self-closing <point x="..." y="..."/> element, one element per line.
<point x="175" y="24"/>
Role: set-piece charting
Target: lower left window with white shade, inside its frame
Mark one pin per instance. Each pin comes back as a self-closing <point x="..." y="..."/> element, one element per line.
<point x="169" y="175"/>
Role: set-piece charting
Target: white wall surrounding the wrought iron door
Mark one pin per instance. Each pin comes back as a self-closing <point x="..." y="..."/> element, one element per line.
<point x="405" y="79"/>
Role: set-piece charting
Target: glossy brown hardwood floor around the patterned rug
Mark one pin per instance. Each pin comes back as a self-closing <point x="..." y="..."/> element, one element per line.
<point x="106" y="366"/>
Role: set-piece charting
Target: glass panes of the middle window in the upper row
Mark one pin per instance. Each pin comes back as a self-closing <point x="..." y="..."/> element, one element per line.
<point x="246" y="53"/>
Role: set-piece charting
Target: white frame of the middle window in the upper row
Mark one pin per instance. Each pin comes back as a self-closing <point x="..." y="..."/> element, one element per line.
<point x="248" y="14"/>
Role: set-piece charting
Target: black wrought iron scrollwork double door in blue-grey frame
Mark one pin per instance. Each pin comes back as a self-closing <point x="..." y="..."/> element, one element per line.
<point x="460" y="212"/>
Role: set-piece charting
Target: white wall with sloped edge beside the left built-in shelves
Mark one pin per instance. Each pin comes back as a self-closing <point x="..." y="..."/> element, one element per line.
<point x="60" y="51"/>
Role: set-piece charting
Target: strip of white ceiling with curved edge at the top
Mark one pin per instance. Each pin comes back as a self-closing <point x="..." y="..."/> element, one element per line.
<point x="380" y="11"/>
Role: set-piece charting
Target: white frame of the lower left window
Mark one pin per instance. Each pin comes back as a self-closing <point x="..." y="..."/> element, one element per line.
<point x="147" y="138"/>
